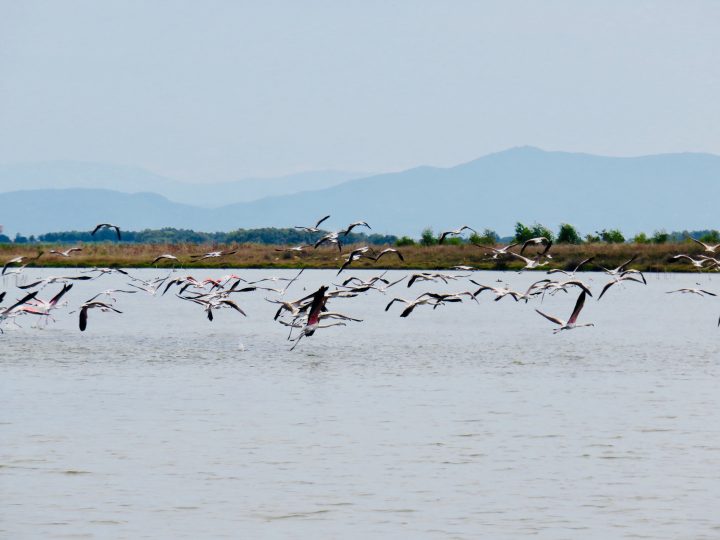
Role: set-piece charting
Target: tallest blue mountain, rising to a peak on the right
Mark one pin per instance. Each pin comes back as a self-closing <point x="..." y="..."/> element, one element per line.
<point x="671" y="191"/>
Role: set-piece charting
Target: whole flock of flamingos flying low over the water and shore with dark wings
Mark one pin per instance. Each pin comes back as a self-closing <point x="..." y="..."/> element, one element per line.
<point x="309" y="313"/>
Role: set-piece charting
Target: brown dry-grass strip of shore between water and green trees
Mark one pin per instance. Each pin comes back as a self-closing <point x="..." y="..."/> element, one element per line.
<point x="651" y="257"/>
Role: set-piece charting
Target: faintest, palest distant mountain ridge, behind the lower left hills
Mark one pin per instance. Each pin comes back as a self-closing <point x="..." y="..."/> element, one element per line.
<point x="75" y="174"/>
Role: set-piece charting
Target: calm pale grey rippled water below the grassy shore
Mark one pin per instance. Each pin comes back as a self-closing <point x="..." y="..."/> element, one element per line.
<point x="470" y="421"/>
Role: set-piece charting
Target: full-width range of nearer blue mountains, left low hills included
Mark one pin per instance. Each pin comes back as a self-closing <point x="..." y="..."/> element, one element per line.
<point x="671" y="191"/>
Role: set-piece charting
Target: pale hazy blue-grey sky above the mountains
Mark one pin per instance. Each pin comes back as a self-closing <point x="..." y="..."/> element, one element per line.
<point x="219" y="90"/>
